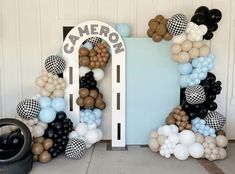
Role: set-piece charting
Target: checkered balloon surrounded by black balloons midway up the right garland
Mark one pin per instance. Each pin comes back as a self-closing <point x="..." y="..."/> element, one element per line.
<point x="195" y="94"/>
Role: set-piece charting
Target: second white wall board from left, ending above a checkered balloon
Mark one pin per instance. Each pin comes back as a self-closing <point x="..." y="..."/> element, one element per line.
<point x="29" y="35"/>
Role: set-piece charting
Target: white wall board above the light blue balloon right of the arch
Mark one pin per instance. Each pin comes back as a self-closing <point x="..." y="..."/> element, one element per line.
<point x="126" y="11"/>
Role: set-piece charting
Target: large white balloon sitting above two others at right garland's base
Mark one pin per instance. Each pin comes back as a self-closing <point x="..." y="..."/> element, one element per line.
<point x="187" y="137"/>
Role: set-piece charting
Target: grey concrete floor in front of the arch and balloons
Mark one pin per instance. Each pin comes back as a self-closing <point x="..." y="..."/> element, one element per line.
<point x="137" y="160"/>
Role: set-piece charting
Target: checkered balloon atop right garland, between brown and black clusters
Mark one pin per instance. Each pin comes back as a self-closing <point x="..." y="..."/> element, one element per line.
<point x="177" y="24"/>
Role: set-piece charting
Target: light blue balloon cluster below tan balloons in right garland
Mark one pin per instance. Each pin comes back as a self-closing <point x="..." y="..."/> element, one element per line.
<point x="192" y="73"/>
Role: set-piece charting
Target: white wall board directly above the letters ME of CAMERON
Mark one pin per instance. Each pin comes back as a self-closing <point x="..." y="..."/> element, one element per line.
<point x="87" y="10"/>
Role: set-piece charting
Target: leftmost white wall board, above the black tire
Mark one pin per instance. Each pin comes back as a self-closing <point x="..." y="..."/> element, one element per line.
<point x="11" y="57"/>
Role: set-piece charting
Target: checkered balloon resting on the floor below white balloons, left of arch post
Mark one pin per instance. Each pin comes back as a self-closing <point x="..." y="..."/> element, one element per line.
<point x="75" y="148"/>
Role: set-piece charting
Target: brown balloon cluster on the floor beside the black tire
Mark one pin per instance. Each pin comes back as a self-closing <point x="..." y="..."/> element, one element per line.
<point x="40" y="149"/>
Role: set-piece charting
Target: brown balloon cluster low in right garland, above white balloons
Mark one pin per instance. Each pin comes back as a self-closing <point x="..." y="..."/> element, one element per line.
<point x="179" y="118"/>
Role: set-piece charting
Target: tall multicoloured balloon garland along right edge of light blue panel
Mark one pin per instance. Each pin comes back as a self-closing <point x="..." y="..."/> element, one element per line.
<point x="194" y="128"/>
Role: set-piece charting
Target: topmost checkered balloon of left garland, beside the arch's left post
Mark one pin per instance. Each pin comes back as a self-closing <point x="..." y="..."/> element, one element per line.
<point x="55" y="64"/>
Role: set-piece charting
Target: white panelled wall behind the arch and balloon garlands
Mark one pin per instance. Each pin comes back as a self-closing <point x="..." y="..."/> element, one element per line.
<point x="30" y="30"/>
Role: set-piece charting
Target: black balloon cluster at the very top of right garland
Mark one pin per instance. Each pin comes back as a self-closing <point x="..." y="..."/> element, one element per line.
<point x="210" y="18"/>
